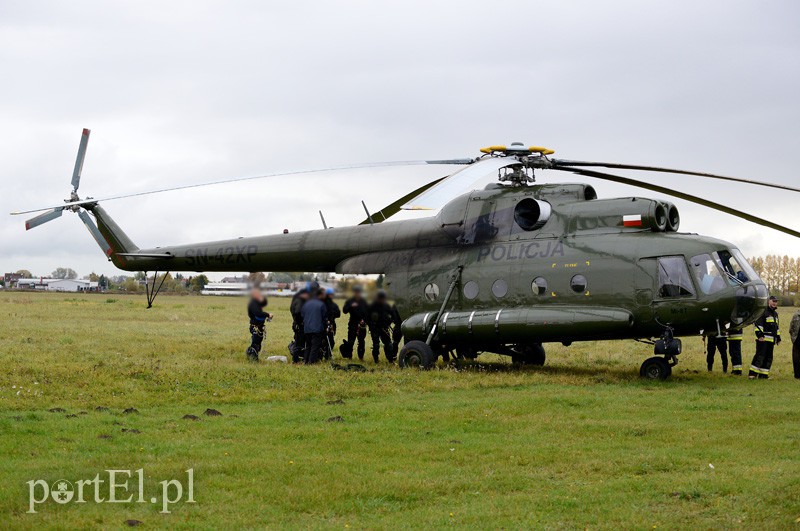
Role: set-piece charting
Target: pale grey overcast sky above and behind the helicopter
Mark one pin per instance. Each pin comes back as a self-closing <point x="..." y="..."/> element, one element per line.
<point x="184" y="92"/>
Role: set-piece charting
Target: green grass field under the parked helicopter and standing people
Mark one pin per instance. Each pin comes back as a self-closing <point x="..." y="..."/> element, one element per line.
<point x="579" y="443"/>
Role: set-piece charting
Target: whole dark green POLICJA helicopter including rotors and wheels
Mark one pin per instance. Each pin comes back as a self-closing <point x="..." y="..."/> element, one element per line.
<point x="502" y="269"/>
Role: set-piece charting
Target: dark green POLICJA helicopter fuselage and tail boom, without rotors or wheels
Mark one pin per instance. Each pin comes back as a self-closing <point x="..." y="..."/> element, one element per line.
<point x="520" y="264"/>
